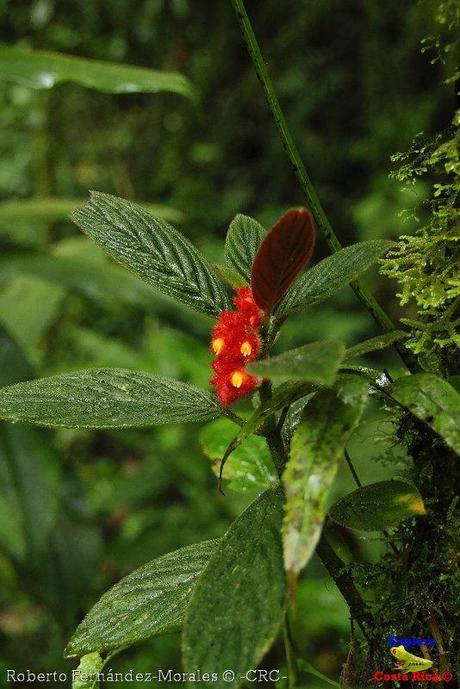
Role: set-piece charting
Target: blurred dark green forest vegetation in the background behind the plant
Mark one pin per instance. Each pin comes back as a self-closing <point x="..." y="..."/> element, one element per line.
<point x="79" y="509"/>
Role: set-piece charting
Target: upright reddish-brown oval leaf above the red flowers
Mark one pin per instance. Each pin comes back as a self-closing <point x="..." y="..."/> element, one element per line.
<point x="285" y="251"/>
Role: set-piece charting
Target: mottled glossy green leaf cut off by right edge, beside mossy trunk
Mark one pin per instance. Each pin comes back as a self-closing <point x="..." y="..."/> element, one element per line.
<point x="432" y="400"/>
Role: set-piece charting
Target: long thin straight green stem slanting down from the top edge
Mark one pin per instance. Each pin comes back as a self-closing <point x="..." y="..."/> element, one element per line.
<point x="321" y="219"/>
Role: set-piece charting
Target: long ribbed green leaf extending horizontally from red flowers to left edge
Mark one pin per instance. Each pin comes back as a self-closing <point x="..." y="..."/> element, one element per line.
<point x="106" y="398"/>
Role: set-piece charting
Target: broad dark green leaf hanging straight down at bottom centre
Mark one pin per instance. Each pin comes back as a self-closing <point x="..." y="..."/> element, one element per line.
<point x="239" y="601"/>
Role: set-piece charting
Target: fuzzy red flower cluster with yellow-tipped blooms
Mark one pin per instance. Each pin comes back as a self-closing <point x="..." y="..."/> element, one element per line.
<point x="235" y="341"/>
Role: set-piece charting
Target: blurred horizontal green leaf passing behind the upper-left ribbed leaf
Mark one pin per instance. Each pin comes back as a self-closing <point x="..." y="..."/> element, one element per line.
<point x="49" y="210"/>
